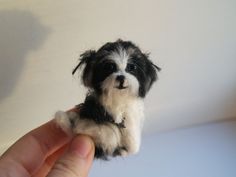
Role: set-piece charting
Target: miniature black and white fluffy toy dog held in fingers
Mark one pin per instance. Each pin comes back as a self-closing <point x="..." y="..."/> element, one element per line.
<point x="118" y="77"/>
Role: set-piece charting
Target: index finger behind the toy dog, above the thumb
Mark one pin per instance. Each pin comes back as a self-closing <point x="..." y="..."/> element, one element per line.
<point x="30" y="151"/>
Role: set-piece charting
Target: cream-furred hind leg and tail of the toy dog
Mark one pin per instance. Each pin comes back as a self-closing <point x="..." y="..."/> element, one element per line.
<point x="106" y="136"/>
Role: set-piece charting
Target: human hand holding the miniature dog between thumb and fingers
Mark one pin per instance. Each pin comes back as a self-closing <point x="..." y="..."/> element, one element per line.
<point x="48" y="151"/>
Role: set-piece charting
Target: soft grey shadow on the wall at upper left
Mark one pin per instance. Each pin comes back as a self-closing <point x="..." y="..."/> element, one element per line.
<point x="20" y="33"/>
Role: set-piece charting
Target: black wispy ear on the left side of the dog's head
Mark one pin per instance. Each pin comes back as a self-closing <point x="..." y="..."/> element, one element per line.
<point x="86" y="60"/>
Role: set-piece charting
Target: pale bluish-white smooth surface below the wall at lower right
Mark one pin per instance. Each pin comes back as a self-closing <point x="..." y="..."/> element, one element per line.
<point x="203" y="151"/>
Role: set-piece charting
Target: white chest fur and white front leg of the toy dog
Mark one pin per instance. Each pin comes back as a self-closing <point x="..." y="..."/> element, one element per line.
<point x="130" y="110"/>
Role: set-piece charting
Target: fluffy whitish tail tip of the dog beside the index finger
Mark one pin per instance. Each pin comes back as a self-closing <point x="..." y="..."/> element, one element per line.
<point x="63" y="121"/>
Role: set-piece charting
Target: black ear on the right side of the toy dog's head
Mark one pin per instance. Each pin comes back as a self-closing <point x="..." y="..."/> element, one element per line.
<point x="151" y="74"/>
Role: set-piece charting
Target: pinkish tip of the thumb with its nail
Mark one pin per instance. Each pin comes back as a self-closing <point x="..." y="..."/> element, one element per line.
<point x="81" y="145"/>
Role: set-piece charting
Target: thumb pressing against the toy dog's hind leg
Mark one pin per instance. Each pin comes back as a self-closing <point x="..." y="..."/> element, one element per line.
<point x="77" y="160"/>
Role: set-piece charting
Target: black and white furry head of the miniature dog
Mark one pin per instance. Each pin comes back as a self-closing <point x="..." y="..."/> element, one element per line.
<point x="119" y="66"/>
